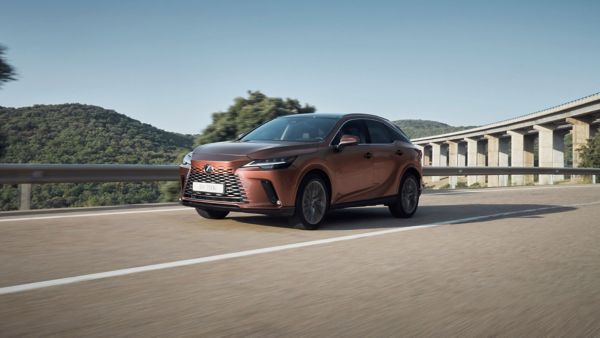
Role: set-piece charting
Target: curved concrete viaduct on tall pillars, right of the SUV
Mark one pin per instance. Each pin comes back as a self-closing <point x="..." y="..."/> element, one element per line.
<point x="511" y="142"/>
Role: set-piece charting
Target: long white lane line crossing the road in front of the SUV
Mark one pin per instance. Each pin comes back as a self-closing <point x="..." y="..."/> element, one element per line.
<point x="122" y="272"/>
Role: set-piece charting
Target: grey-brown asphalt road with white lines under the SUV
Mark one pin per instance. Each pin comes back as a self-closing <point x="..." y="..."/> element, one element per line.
<point x="504" y="262"/>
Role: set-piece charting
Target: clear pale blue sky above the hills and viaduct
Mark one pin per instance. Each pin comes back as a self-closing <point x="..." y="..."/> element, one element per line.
<point x="173" y="63"/>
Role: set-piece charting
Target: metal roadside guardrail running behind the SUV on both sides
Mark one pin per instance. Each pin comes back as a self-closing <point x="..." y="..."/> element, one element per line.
<point x="26" y="174"/>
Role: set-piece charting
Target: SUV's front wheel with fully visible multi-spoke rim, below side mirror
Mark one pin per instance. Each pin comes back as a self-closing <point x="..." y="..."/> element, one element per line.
<point x="312" y="203"/>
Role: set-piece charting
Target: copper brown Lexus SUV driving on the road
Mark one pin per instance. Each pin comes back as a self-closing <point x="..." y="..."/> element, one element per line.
<point x="304" y="165"/>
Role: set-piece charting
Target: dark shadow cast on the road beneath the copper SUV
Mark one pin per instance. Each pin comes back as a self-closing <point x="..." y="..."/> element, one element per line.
<point x="379" y="217"/>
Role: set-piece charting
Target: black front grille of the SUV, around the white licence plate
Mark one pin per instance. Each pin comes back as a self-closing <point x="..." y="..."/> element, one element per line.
<point x="234" y="191"/>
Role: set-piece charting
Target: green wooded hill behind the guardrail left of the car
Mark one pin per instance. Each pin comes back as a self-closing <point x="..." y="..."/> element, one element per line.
<point x="77" y="133"/>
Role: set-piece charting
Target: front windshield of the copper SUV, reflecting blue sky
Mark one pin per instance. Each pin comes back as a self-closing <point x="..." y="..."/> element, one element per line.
<point x="293" y="129"/>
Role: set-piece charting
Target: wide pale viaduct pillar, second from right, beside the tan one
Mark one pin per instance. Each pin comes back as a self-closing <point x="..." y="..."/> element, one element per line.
<point x="550" y="151"/>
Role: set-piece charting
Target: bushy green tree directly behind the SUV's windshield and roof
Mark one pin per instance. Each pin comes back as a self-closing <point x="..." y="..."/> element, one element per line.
<point x="247" y="113"/>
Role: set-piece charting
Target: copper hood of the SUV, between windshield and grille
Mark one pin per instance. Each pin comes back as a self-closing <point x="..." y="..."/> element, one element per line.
<point x="233" y="150"/>
